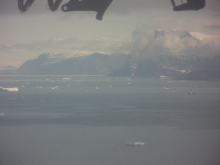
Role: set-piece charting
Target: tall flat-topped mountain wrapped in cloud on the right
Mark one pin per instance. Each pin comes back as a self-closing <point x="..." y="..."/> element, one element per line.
<point x="173" y="53"/>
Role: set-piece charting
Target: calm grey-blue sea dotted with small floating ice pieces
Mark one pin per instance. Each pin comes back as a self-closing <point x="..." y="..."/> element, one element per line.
<point x="90" y="120"/>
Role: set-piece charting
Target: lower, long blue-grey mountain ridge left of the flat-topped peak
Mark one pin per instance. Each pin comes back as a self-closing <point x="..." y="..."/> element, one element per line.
<point x="59" y="64"/>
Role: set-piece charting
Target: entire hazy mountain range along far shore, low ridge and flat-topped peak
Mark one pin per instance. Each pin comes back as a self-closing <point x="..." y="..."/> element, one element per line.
<point x="173" y="53"/>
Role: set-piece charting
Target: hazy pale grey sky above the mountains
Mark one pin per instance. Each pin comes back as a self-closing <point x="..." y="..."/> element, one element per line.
<point x="24" y="36"/>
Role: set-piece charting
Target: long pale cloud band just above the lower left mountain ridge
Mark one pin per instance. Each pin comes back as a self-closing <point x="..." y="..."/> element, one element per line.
<point x="108" y="45"/>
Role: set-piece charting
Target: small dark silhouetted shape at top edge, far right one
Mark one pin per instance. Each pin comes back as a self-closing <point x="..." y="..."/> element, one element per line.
<point x="190" y="5"/>
